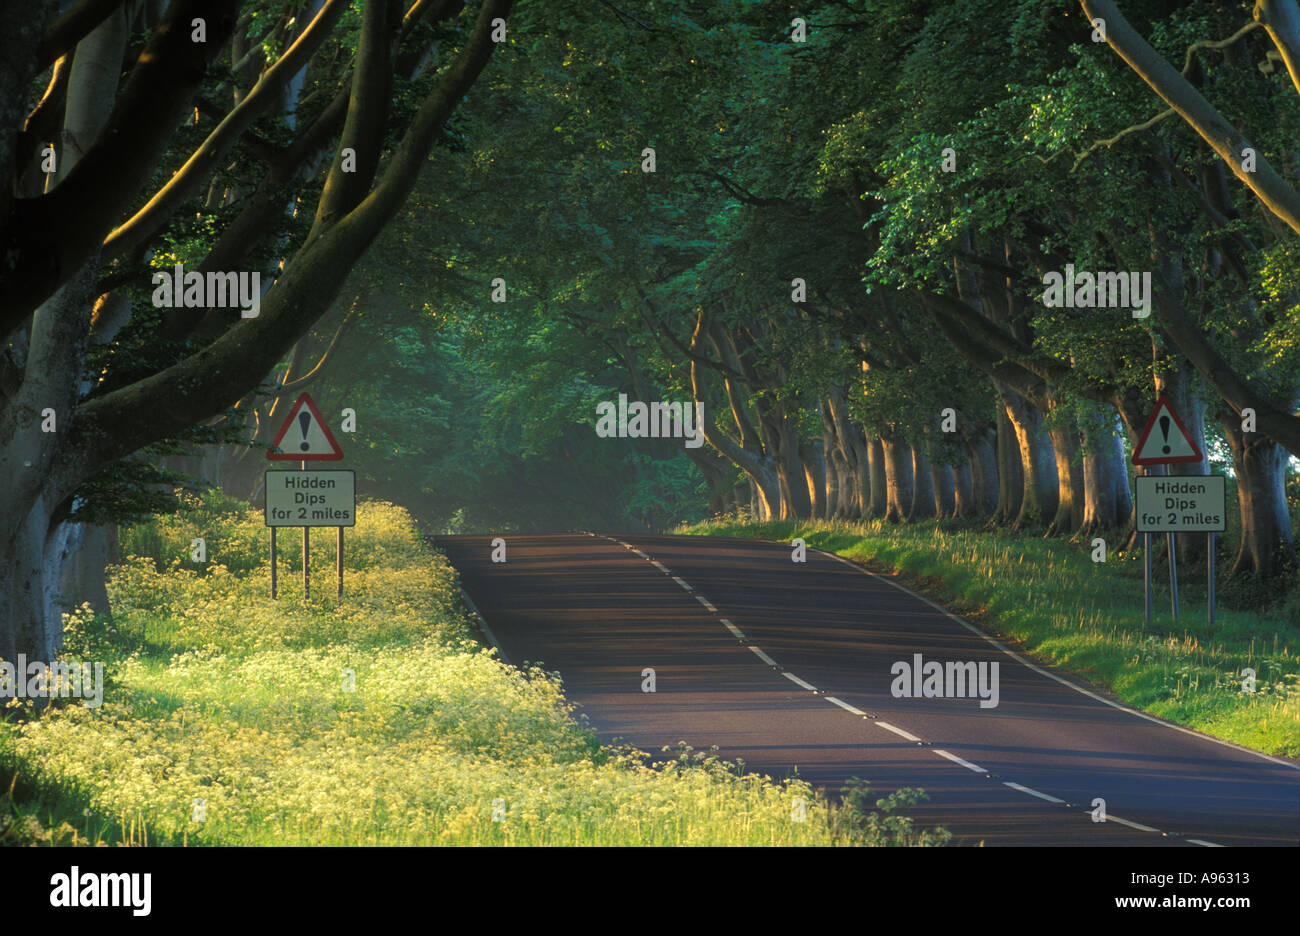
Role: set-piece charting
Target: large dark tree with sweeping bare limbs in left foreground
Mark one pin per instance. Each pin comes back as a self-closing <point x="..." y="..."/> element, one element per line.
<point x="72" y="245"/>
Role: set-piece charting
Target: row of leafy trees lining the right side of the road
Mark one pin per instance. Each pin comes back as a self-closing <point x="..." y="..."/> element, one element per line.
<point x="834" y="244"/>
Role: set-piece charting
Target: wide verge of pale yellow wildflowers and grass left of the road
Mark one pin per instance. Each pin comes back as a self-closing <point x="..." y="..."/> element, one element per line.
<point x="216" y="694"/>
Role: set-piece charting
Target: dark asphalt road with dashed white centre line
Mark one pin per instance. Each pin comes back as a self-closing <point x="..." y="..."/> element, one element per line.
<point x="788" y="668"/>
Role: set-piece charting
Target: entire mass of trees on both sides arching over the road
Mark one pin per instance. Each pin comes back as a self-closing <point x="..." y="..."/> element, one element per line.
<point x="829" y="222"/>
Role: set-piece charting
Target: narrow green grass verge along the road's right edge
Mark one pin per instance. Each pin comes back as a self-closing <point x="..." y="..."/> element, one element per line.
<point x="1051" y="600"/>
